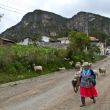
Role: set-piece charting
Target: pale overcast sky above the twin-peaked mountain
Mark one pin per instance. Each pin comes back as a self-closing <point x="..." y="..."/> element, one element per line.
<point x="14" y="10"/>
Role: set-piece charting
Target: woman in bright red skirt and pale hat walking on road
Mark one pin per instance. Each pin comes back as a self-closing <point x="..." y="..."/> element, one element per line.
<point x="87" y="84"/>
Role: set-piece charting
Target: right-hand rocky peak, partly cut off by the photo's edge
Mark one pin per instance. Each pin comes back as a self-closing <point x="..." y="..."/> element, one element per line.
<point x="92" y="24"/>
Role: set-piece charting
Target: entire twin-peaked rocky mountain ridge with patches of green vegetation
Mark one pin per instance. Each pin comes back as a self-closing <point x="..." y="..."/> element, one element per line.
<point x="39" y="23"/>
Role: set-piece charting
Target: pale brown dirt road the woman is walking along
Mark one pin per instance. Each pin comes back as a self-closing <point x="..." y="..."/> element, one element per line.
<point x="54" y="92"/>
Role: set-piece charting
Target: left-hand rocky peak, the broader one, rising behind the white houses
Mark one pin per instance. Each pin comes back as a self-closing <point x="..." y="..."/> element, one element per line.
<point x="37" y="23"/>
